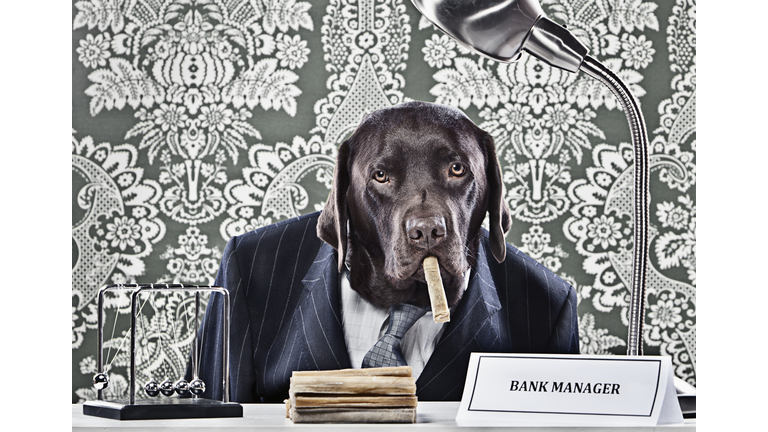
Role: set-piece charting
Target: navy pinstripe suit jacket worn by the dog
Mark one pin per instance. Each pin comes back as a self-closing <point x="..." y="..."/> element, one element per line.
<point x="285" y="315"/>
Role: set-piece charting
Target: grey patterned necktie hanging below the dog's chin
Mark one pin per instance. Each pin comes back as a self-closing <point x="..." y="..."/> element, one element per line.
<point x="386" y="352"/>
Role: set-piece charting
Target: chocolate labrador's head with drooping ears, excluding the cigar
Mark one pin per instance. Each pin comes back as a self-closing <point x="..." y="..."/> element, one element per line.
<point x="413" y="180"/>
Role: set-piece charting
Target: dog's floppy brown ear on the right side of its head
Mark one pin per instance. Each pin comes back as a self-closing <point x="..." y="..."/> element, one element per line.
<point x="498" y="211"/>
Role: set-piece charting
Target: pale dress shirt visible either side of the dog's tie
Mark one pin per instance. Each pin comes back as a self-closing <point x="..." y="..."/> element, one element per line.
<point x="364" y="323"/>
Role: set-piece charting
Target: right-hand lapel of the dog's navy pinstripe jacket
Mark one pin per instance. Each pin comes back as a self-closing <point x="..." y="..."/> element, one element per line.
<point x="474" y="327"/>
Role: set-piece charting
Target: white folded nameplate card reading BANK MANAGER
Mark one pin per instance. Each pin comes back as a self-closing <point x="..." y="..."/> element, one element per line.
<point x="568" y="390"/>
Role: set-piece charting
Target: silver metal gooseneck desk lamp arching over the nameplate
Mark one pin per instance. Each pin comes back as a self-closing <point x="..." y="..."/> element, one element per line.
<point x="501" y="30"/>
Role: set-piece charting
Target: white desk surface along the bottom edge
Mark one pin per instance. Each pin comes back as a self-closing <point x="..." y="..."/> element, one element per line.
<point x="271" y="417"/>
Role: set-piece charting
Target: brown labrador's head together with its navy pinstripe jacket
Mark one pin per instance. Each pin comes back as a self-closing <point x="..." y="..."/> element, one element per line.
<point x="413" y="180"/>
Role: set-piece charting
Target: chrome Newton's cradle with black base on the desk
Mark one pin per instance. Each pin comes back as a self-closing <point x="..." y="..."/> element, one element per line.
<point x="163" y="407"/>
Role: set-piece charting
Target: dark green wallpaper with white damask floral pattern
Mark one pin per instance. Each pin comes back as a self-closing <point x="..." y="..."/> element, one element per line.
<point x="197" y="120"/>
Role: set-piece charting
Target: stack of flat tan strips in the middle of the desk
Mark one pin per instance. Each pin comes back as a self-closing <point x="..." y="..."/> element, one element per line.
<point x="371" y="395"/>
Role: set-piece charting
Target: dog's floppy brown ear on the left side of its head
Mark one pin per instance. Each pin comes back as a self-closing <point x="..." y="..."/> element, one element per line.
<point x="332" y="223"/>
